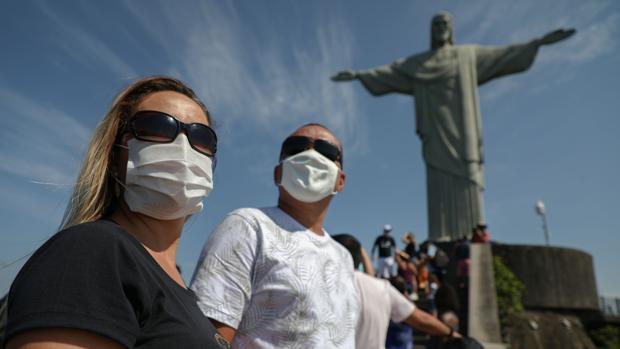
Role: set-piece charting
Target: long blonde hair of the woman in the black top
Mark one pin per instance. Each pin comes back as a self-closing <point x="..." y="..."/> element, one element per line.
<point x="94" y="194"/>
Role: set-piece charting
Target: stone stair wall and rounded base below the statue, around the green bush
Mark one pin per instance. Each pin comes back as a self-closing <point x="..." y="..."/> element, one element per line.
<point x="559" y="296"/>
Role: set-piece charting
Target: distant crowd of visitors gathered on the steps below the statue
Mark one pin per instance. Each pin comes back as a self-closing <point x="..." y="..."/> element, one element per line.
<point x="419" y="273"/>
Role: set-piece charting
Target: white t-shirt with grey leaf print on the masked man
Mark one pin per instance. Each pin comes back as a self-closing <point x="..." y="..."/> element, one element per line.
<point x="278" y="283"/>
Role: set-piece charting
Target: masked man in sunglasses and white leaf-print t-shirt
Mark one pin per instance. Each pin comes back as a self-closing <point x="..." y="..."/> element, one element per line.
<point x="273" y="277"/>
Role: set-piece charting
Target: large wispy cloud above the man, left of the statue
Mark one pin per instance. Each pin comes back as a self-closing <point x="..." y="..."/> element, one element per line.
<point x="275" y="85"/>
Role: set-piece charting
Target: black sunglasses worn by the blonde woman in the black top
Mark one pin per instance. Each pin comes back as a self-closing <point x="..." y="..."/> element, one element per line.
<point x="158" y="127"/>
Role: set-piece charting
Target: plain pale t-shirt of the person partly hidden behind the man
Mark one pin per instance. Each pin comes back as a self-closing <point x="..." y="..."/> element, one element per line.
<point x="380" y="303"/>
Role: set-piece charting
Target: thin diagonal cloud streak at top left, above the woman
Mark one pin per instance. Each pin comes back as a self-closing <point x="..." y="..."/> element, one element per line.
<point x="85" y="48"/>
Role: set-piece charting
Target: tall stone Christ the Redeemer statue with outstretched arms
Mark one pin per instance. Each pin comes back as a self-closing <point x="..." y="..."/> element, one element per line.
<point x="444" y="82"/>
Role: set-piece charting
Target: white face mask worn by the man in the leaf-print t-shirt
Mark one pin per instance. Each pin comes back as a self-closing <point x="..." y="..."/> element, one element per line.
<point x="309" y="176"/>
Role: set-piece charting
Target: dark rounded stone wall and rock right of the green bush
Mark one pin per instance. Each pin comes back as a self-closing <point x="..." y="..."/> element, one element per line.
<point x="560" y="296"/>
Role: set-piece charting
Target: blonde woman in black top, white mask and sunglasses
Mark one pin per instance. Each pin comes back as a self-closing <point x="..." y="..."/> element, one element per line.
<point x="109" y="278"/>
